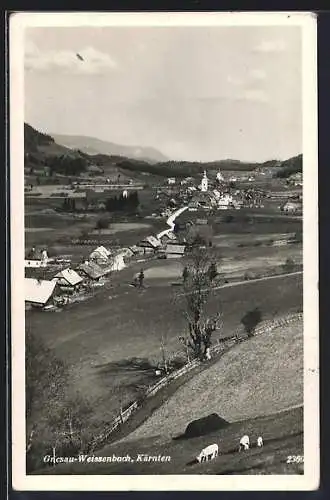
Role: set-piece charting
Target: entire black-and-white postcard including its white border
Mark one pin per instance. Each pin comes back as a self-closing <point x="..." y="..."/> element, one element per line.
<point x="164" y="255"/>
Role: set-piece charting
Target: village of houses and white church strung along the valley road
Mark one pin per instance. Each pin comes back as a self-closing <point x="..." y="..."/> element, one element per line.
<point x="53" y="282"/>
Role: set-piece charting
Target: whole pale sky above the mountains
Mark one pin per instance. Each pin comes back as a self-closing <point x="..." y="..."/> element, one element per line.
<point x="193" y="93"/>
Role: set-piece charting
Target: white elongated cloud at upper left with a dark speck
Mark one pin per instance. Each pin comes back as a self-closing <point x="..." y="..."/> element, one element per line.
<point x="65" y="61"/>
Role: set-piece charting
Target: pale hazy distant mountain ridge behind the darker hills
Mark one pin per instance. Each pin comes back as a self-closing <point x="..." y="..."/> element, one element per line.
<point x="93" y="146"/>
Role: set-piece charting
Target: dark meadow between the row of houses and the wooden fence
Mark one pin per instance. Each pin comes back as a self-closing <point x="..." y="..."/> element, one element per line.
<point x="96" y="336"/>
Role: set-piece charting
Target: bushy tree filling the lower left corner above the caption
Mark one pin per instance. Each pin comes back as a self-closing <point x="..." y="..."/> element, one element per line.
<point x="55" y="420"/>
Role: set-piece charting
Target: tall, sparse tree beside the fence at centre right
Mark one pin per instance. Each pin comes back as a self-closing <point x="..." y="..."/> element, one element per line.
<point x="198" y="288"/>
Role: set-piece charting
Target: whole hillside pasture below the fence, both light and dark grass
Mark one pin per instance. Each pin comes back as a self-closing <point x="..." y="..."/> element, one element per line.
<point x="258" y="393"/>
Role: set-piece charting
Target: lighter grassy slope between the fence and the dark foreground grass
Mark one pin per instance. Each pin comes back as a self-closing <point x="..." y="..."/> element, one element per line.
<point x="257" y="377"/>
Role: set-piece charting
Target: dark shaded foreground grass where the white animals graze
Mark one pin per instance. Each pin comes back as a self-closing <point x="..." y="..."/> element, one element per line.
<point x="282" y="433"/>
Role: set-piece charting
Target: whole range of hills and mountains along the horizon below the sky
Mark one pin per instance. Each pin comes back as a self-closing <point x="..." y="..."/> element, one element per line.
<point x="65" y="154"/>
